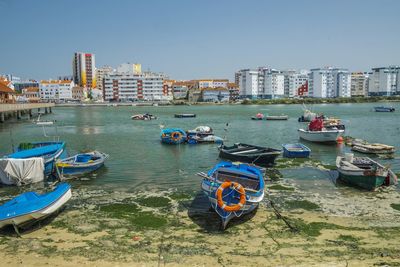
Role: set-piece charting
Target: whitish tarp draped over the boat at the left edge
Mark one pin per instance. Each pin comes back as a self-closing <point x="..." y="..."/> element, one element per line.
<point x="21" y="171"/>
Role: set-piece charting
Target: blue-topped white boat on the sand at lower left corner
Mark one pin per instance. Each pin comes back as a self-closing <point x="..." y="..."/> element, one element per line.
<point x="31" y="206"/>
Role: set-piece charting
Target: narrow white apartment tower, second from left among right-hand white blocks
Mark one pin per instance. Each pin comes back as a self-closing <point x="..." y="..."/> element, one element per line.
<point x="274" y="84"/>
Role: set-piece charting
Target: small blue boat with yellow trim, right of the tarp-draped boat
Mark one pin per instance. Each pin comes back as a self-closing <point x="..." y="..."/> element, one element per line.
<point x="81" y="163"/>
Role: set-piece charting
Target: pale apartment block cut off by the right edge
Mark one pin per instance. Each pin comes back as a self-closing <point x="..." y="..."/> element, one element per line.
<point x="384" y="81"/>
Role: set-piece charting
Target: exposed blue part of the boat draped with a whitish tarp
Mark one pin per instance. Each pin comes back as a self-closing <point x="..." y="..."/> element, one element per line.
<point x="49" y="151"/>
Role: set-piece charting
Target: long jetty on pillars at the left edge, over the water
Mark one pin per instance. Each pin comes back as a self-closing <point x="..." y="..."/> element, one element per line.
<point x="18" y="110"/>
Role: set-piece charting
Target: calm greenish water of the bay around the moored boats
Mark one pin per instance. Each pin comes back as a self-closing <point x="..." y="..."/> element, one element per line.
<point x="138" y="161"/>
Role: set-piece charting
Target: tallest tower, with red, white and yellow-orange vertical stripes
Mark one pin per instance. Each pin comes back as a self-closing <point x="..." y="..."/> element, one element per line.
<point x="83" y="70"/>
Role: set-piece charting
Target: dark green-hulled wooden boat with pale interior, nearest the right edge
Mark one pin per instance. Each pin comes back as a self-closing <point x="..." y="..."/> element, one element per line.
<point x="362" y="172"/>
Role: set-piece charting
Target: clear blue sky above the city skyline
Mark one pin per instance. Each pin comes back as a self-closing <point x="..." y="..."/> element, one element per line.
<point x="189" y="39"/>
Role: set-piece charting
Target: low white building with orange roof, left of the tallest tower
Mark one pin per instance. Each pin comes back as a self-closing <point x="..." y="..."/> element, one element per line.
<point x="55" y="90"/>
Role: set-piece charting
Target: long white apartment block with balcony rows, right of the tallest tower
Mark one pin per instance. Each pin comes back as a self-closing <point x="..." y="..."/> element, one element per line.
<point x="125" y="86"/>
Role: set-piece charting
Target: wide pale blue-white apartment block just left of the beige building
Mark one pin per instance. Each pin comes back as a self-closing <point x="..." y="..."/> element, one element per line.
<point x="329" y="82"/>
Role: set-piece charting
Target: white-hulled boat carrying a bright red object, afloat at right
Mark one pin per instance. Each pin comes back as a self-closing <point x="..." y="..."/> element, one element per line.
<point x="316" y="132"/>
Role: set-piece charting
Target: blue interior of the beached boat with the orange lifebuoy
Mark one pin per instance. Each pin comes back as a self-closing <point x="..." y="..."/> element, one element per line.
<point x="247" y="180"/>
